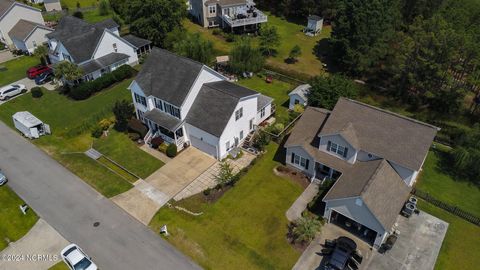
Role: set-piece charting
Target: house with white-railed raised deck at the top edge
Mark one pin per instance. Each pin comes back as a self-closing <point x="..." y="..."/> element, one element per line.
<point x="232" y="14"/>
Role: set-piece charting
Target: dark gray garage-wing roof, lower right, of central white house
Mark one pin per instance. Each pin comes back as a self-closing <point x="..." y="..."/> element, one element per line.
<point x="215" y="105"/>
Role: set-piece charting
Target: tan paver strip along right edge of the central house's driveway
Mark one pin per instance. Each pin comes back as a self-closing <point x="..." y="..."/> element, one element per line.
<point x="207" y="179"/>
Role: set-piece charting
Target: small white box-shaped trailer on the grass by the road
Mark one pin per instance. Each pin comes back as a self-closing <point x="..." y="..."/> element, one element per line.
<point x="29" y="125"/>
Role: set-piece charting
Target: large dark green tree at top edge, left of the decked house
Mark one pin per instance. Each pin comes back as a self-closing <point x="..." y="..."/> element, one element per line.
<point x="154" y="19"/>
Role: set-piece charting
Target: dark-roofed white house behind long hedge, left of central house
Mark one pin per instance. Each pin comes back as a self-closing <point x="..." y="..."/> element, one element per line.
<point x="96" y="48"/>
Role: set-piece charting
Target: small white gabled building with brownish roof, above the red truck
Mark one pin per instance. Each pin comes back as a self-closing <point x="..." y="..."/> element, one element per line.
<point x="27" y="35"/>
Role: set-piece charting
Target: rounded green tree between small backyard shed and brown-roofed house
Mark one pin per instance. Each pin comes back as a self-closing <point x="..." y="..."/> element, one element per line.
<point x="326" y="91"/>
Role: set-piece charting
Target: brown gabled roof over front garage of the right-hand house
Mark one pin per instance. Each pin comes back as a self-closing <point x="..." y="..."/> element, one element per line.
<point x="381" y="188"/>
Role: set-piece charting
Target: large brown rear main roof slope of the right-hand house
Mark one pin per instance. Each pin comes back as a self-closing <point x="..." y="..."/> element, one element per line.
<point x="397" y="138"/>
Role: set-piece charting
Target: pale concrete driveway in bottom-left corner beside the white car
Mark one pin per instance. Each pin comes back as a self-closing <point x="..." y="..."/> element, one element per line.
<point x="39" y="249"/>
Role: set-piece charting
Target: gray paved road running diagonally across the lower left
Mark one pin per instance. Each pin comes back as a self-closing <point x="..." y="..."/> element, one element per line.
<point x="72" y="207"/>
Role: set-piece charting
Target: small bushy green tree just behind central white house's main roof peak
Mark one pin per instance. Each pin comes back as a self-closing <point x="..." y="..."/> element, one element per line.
<point x="196" y="48"/>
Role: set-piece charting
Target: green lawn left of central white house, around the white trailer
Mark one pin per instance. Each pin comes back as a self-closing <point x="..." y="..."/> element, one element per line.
<point x="71" y="123"/>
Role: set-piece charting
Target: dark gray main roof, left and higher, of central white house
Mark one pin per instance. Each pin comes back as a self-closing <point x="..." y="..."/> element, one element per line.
<point x="168" y="76"/>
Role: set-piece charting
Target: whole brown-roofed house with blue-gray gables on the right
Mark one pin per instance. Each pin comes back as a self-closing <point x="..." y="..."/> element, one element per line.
<point x="374" y="155"/>
